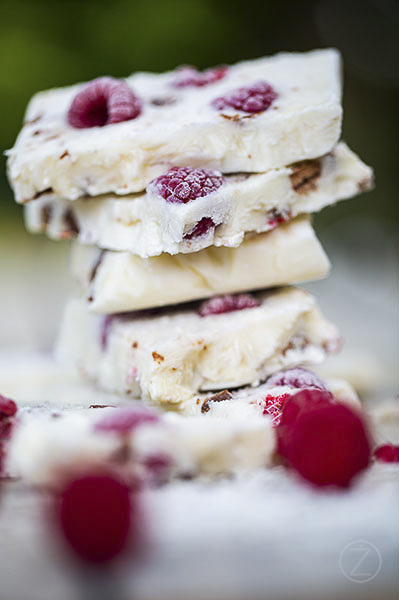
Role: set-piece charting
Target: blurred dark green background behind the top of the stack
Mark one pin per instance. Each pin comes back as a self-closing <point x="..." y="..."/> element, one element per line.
<point x="48" y="43"/>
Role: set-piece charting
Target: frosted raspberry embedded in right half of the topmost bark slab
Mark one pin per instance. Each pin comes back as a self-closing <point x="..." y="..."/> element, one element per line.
<point x="253" y="99"/>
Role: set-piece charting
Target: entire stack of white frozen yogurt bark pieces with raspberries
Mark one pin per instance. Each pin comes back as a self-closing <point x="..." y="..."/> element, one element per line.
<point x="188" y="196"/>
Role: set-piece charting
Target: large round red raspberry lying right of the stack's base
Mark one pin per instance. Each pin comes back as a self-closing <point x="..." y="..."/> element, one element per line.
<point x="327" y="443"/>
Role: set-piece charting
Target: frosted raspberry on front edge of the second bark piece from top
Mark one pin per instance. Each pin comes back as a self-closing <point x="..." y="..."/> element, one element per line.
<point x="183" y="184"/>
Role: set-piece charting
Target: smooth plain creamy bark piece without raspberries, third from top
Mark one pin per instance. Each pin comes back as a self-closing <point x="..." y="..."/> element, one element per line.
<point x="120" y="281"/>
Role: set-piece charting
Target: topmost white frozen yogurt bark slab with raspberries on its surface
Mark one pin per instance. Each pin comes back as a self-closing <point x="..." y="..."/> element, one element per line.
<point x="253" y="116"/>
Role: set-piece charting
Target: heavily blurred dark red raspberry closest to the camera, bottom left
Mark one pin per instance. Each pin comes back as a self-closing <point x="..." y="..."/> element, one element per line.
<point x="95" y="514"/>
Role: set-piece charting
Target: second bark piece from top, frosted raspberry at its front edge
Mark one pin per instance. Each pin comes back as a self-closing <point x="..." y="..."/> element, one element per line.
<point x="149" y="224"/>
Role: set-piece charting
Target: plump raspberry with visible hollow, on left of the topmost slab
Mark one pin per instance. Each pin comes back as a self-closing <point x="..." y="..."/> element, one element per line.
<point x="103" y="101"/>
